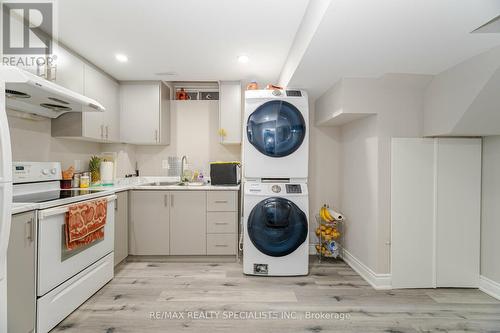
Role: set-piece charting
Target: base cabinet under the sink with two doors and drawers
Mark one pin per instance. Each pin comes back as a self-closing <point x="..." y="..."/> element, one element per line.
<point x="189" y="222"/>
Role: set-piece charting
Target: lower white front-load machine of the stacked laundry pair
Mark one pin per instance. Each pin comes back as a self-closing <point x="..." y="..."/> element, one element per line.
<point x="276" y="229"/>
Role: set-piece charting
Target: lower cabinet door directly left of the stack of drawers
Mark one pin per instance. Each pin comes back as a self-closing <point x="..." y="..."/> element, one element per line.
<point x="188" y="223"/>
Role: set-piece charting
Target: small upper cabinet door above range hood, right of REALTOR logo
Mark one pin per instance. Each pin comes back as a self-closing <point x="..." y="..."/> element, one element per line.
<point x="70" y="70"/>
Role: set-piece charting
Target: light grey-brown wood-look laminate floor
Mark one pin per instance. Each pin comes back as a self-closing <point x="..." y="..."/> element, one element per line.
<point x="155" y="296"/>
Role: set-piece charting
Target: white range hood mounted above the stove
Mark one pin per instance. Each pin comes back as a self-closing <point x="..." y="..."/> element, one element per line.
<point x="29" y="93"/>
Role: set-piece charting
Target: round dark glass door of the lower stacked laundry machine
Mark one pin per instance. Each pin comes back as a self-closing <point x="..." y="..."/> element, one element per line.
<point x="277" y="227"/>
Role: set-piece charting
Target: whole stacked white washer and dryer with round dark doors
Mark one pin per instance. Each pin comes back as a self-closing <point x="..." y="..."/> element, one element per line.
<point x="275" y="162"/>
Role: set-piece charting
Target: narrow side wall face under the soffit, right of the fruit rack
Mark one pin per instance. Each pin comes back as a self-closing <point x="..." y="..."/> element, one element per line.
<point x="359" y="187"/>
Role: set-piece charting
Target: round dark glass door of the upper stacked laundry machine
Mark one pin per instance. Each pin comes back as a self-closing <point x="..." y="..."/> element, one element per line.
<point x="276" y="128"/>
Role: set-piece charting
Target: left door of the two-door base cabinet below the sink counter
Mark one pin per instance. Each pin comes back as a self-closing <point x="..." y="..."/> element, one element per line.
<point x="149" y="231"/>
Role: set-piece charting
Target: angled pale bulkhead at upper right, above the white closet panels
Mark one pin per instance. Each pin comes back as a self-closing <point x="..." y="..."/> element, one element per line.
<point x="463" y="100"/>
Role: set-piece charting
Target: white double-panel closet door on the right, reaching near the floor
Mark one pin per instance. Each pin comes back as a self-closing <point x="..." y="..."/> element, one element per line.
<point x="435" y="212"/>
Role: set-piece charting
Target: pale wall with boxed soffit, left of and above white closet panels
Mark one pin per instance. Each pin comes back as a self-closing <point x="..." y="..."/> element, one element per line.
<point x="397" y="102"/>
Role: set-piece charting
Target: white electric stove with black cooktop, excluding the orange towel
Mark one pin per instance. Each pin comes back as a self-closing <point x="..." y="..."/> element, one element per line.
<point x="65" y="278"/>
